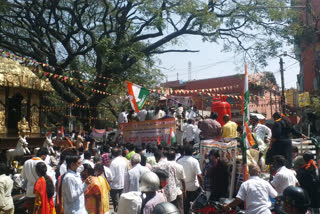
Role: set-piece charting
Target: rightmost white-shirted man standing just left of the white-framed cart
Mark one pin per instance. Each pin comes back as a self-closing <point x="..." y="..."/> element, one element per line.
<point x="193" y="175"/>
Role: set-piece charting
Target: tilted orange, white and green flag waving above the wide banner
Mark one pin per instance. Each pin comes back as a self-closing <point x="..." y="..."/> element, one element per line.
<point x="137" y="95"/>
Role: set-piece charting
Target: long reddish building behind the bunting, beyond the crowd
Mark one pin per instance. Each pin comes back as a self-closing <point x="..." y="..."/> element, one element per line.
<point x="261" y="102"/>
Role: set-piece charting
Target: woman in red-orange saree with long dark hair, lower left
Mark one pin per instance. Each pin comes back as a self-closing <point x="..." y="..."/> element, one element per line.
<point x="44" y="191"/>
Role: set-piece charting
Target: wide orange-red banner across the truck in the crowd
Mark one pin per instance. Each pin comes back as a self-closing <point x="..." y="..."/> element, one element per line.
<point x="147" y="131"/>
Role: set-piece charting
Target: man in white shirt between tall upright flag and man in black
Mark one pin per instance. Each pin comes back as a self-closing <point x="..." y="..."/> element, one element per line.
<point x="261" y="131"/>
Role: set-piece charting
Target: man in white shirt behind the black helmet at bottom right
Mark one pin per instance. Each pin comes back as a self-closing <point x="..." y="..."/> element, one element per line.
<point x="284" y="177"/>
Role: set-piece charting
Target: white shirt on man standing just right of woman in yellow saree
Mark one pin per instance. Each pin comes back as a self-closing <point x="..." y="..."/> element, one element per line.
<point x="118" y="167"/>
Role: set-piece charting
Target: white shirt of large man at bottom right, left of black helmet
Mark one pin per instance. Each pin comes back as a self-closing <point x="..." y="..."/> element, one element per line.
<point x="255" y="192"/>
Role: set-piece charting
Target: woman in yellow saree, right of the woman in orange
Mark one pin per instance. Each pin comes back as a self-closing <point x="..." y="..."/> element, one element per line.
<point x="105" y="188"/>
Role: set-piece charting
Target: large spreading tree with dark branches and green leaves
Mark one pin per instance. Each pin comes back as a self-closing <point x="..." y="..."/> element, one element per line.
<point x="117" y="39"/>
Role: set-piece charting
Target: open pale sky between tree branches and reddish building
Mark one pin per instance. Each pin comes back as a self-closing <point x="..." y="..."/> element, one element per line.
<point x="211" y="62"/>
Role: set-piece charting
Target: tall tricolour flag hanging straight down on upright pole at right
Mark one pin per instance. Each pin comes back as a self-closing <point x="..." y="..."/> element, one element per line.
<point x="247" y="135"/>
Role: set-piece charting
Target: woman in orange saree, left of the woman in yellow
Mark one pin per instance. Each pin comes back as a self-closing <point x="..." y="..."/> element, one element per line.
<point x="93" y="192"/>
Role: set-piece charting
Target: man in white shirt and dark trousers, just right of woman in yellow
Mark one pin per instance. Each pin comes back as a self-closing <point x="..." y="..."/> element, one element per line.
<point x="119" y="167"/>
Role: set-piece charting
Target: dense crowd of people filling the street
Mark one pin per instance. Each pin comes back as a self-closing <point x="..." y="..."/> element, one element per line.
<point x="140" y="178"/>
